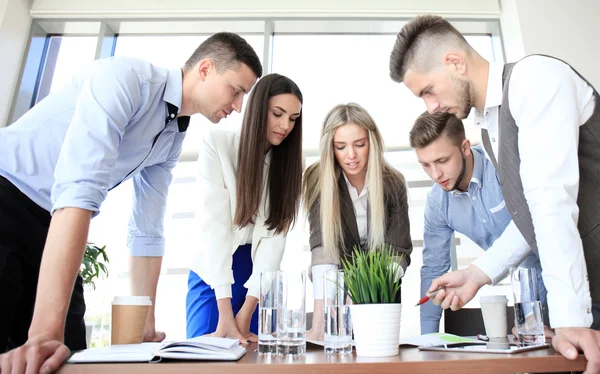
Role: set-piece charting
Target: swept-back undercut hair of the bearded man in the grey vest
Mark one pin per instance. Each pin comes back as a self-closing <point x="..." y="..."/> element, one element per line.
<point x="420" y="44"/>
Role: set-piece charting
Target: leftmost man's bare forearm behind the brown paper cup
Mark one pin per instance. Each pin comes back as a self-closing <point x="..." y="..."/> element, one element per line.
<point x="143" y="279"/>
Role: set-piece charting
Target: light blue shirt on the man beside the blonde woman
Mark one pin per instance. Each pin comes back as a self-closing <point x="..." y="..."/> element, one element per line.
<point x="479" y="213"/>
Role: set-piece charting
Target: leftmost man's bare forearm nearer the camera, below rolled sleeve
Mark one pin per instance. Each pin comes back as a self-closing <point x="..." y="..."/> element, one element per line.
<point x="61" y="261"/>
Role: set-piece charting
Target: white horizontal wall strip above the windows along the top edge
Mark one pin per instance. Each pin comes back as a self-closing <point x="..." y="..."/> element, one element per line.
<point x="259" y="8"/>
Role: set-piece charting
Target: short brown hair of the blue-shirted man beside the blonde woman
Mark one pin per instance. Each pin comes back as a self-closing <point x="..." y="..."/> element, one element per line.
<point x="431" y="126"/>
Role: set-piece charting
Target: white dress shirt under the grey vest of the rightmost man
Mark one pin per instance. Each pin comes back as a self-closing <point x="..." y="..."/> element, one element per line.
<point x="548" y="102"/>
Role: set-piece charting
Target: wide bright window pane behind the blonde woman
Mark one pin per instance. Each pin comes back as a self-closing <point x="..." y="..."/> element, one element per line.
<point x="333" y="69"/>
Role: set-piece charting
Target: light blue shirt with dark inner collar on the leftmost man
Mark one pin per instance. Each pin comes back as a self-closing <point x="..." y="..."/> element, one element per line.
<point x="113" y="121"/>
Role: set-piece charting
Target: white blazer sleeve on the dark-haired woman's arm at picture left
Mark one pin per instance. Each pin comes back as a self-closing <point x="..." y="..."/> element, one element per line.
<point x="215" y="257"/>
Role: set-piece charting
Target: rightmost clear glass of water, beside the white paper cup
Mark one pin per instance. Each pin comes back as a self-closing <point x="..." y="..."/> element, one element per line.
<point x="528" y="307"/>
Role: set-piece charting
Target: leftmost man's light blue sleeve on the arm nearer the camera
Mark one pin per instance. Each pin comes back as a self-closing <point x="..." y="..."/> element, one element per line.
<point x="108" y="98"/>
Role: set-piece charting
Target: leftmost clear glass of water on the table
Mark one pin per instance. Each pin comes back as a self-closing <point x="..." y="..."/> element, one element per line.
<point x="267" y="313"/>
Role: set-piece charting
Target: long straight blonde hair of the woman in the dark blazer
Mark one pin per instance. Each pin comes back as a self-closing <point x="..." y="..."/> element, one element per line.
<point x="320" y="182"/>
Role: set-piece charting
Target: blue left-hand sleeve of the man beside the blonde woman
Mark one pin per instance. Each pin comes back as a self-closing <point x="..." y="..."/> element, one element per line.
<point x="437" y="236"/>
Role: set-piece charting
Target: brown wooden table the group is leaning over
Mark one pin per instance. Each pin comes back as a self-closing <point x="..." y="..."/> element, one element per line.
<point x="410" y="360"/>
